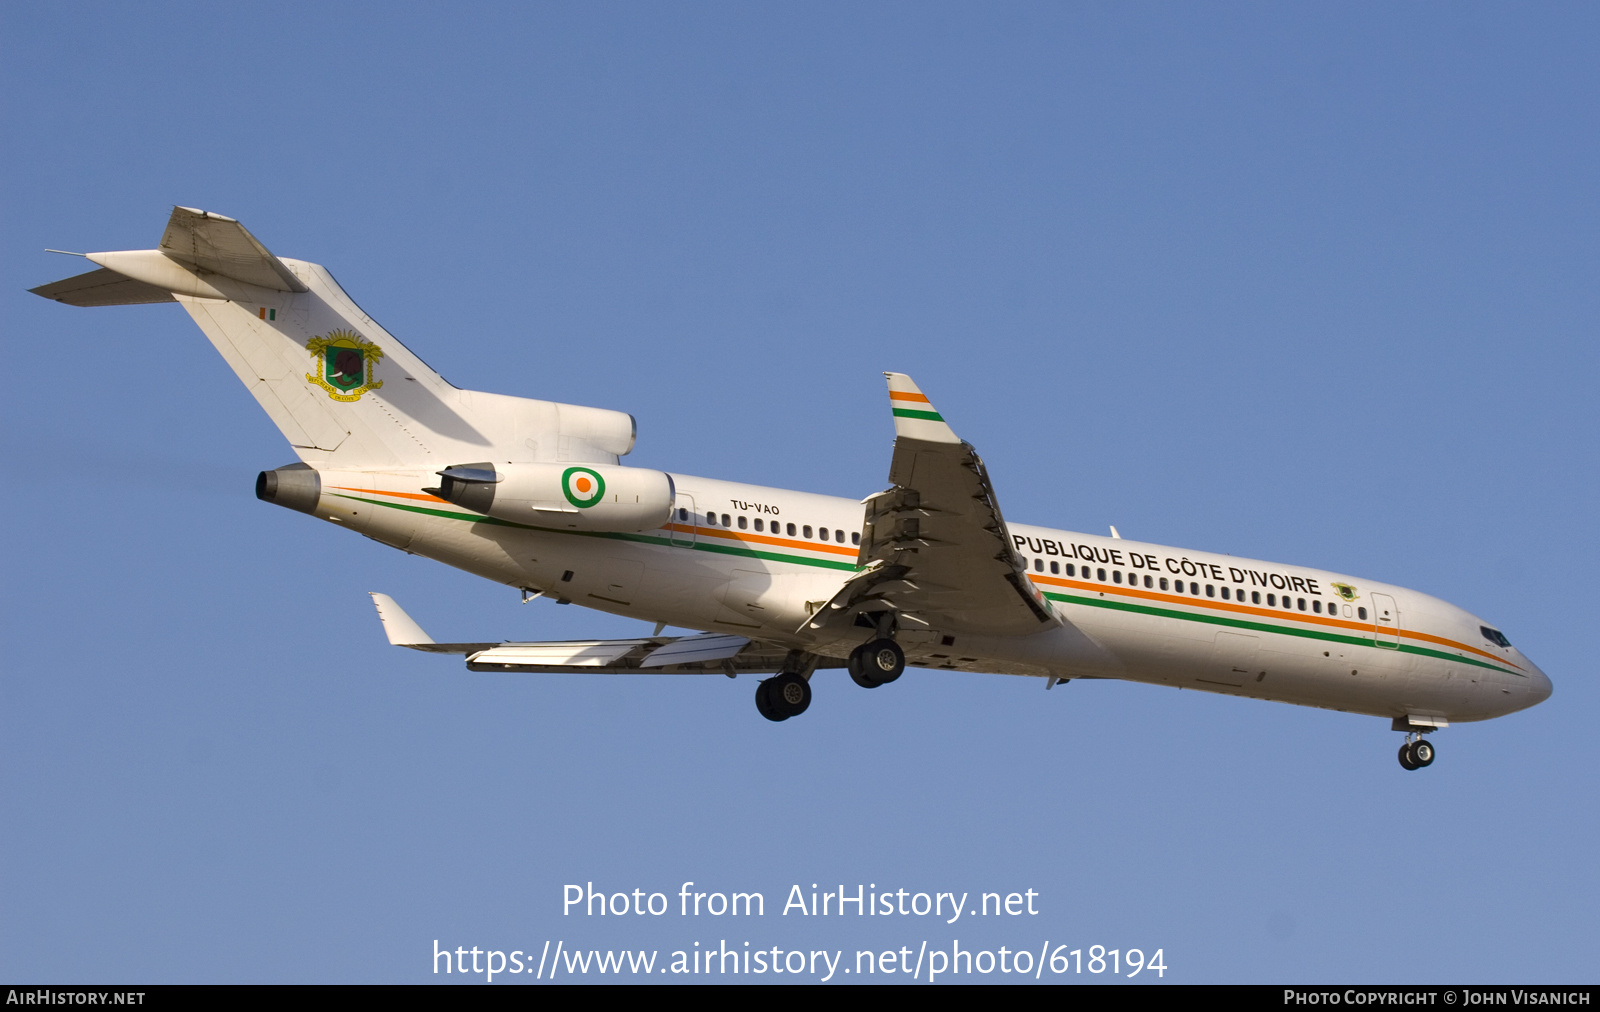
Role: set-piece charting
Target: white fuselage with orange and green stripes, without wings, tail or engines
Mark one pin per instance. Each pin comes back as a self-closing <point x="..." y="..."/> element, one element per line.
<point x="758" y="561"/>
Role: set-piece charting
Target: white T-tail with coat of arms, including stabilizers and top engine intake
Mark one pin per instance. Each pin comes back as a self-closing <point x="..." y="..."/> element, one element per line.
<point x="342" y="388"/>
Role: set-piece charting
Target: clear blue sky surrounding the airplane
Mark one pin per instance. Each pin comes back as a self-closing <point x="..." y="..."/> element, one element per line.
<point x="1311" y="284"/>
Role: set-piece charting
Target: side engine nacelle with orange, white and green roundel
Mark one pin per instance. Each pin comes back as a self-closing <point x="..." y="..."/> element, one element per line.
<point x="574" y="497"/>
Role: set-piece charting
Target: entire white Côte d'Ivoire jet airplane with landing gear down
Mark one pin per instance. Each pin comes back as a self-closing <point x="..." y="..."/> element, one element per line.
<point x="778" y="584"/>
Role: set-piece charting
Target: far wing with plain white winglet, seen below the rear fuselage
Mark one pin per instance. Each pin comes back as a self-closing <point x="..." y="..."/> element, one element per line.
<point x="705" y="654"/>
